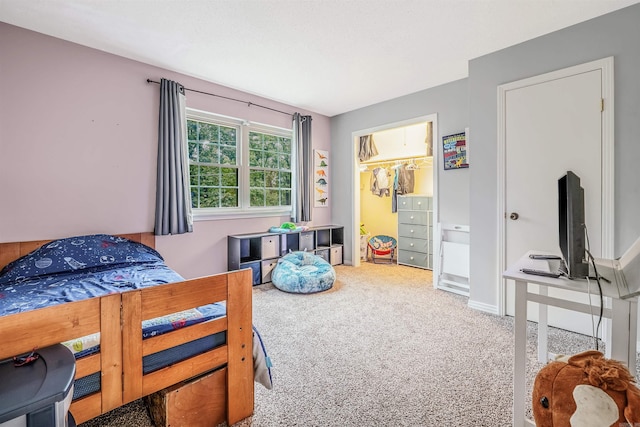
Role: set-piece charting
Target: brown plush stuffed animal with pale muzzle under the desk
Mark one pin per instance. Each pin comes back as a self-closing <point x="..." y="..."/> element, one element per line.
<point x="585" y="391"/>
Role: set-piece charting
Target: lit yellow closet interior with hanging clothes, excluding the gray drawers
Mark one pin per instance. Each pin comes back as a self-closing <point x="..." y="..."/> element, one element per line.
<point x="394" y="163"/>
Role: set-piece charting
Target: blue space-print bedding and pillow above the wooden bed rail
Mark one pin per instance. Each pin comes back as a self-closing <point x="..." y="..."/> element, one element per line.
<point x="78" y="268"/>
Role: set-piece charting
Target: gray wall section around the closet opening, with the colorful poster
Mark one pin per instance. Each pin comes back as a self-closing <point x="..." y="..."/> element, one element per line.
<point x="449" y="101"/>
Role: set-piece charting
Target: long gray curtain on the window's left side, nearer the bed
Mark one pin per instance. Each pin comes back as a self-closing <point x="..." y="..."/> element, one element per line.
<point x="173" y="195"/>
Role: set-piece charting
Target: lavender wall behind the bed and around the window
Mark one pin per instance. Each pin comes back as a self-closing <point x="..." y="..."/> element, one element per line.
<point x="78" y="137"/>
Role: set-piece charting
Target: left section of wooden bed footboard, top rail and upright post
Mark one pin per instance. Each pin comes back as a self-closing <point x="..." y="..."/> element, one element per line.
<point x="22" y="332"/>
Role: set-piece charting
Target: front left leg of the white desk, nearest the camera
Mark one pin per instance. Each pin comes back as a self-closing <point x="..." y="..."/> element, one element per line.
<point x="520" y="356"/>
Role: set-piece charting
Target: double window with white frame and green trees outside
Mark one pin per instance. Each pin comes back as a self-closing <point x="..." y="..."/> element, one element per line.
<point x="222" y="181"/>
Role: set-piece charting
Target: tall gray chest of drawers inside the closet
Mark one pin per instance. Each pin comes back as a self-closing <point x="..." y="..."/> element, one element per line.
<point x="415" y="239"/>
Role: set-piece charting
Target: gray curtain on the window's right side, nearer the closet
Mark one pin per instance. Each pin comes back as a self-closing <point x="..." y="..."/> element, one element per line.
<point x="301" y="202"/>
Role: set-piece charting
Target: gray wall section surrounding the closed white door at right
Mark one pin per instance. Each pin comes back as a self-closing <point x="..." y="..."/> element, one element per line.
<point x="616" y="34"/>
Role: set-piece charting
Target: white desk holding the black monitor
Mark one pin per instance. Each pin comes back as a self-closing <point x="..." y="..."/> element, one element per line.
<point x="623" y="314"/>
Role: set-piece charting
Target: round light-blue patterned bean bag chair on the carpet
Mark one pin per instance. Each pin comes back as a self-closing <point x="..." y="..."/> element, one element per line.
<point x="303" y="273"/>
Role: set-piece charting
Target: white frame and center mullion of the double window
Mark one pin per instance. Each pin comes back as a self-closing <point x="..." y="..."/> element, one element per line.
<point x="242" y="155"/>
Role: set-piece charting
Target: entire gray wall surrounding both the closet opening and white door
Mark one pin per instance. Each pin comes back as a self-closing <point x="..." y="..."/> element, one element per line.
<point x="470" y="196"/>
